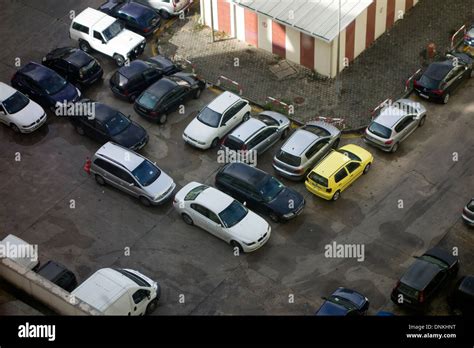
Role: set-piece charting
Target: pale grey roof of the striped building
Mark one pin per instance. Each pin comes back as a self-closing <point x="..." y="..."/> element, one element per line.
<point x="318" y="18"/>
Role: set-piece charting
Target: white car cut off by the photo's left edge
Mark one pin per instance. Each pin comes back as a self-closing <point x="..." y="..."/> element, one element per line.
<point x="19" y="112"/>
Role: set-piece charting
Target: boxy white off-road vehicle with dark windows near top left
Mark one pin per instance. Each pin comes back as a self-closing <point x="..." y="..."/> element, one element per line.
<point x="95" y="30"/>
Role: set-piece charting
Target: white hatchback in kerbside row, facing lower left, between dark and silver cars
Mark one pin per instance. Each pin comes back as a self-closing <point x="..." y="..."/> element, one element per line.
<point x="216" y="120"/>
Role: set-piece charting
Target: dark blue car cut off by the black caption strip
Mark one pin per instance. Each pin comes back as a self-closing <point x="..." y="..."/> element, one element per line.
<point x="344" y="302"/>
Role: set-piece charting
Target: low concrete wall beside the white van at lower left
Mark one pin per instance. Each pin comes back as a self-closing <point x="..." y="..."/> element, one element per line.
<point x="48" y="293"/>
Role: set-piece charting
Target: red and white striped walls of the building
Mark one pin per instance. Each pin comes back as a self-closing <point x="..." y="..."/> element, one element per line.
<point x="287" y="42"/>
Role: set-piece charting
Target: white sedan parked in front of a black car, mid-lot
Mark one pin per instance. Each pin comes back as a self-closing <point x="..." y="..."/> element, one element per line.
<point x="221" y="215"/>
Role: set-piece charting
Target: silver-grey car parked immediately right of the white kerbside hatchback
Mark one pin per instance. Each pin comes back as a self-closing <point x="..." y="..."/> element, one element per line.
<point x="258" y="134"/>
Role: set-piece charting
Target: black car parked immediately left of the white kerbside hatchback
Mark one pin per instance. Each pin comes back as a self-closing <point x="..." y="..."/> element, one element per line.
<point x="166" y="95"/>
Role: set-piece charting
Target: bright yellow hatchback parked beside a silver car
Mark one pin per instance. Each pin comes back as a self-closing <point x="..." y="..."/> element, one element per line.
<point x="339" y="169"/>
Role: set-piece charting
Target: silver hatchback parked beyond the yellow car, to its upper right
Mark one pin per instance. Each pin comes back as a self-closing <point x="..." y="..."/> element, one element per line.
<point x="394" y="124"/>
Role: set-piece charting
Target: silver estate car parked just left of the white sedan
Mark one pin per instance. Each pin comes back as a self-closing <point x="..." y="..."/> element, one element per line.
<point x="131" y="173"/>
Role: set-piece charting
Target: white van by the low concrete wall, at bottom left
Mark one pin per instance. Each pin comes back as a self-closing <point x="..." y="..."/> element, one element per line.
<point x="119" y="292"/>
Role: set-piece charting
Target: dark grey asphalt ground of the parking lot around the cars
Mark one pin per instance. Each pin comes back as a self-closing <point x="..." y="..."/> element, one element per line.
<point x="48" y="199"/>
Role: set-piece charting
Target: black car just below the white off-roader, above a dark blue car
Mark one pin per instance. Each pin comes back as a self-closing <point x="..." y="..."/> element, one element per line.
<point x="74" y="65"/>
